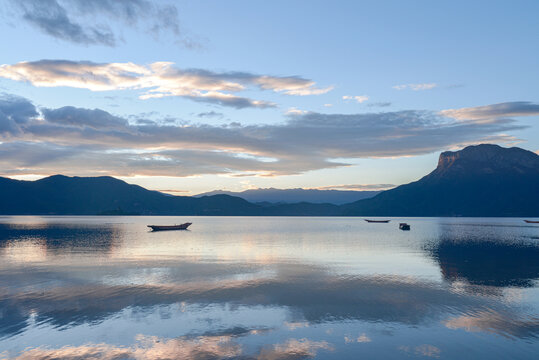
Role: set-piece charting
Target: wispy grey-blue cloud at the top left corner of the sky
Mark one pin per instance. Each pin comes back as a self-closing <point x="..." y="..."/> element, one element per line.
<point x="87" y="22"/>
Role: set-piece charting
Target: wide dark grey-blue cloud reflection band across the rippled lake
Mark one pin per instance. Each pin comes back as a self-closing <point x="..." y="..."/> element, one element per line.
<point x="310" y="294"/>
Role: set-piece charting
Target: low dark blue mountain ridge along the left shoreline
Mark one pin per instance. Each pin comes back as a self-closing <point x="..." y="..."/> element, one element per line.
<point x="106" y="195"/>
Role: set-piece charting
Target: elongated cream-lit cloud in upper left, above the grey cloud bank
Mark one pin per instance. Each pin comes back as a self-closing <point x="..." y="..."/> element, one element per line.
<point x="159" y="79"/>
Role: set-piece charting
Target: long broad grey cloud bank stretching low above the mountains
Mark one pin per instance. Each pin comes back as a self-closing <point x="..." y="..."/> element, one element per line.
<point x="78" y="141"/>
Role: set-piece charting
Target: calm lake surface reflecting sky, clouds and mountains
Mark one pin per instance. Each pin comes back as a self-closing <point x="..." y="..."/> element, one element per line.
<point x="268" y="288"/>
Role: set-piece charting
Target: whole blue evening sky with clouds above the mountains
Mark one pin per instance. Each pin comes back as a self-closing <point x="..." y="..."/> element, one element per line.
<point x="193" y="96"/>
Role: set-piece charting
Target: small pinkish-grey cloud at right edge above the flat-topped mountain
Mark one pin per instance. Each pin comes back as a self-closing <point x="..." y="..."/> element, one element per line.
<point x="494" y="111"/>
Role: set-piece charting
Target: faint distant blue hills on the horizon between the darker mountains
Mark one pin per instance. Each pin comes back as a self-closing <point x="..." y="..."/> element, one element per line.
<point x="290" y="196"/>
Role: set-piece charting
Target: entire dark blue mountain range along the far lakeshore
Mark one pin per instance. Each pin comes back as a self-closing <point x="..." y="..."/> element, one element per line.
<point x="481" y="180"/>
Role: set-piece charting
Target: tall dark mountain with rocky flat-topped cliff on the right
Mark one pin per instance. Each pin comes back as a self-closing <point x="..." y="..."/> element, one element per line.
<point x="481" y="180"/>
